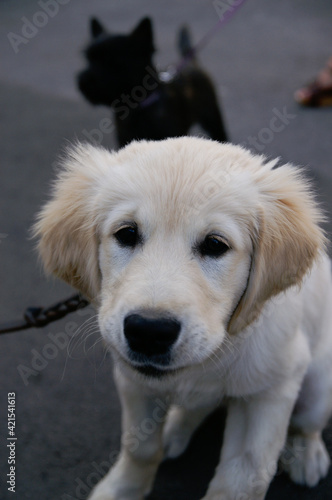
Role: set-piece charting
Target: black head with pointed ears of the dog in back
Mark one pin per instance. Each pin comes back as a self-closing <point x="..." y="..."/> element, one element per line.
<point x="116" y="63"/>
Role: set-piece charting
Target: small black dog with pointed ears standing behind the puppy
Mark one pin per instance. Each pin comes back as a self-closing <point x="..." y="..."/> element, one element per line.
<point x="121" y="75"/>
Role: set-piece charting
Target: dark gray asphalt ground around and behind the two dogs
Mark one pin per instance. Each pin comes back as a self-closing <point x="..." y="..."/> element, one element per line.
<point x="68" y="419"/>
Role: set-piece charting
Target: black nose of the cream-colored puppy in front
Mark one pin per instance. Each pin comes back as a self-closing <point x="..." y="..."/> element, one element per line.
<point x="150" y="336"/>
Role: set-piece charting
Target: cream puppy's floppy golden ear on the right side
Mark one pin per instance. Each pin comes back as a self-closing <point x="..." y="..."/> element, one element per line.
<point x="286" y="240"/>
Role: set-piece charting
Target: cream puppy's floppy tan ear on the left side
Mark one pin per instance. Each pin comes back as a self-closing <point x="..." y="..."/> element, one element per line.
<point x="67" y="226"/>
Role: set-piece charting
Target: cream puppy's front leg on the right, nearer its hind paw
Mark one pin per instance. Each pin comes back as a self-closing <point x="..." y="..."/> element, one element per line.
<point x="255" y="434"/>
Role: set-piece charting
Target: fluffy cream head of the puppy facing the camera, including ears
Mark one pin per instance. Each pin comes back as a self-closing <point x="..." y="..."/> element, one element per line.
<point x="178" y="242"/>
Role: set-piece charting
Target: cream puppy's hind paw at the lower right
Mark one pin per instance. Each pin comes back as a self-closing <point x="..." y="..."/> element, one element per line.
<point x="305" y="459"/>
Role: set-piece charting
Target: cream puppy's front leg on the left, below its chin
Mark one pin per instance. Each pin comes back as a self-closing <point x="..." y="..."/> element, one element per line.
<point x="132" y="476"/>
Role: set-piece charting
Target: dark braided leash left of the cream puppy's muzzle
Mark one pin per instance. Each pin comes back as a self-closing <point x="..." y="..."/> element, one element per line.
<point x="38" y="317"/>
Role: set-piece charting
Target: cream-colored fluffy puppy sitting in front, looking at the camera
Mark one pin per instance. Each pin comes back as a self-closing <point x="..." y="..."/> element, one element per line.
<point x="208" y="270"/>
